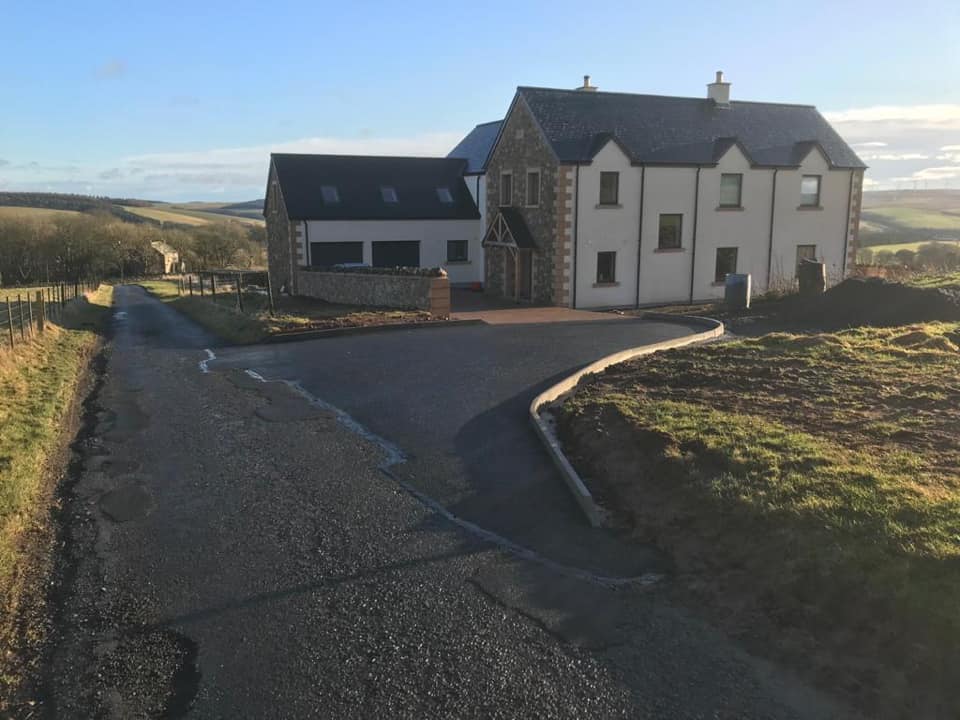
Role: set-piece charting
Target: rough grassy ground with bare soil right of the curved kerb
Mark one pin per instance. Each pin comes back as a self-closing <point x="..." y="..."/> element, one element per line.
<point x="808" y="488"/>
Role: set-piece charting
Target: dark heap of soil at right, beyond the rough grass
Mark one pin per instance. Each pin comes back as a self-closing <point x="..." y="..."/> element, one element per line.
<point x="872" y="301"/>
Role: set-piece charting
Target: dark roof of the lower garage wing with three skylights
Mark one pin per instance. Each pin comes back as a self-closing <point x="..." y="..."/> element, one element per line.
<point x="358" y="179"/>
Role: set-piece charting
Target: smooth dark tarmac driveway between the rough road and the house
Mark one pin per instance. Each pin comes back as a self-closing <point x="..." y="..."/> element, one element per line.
<point x="454" y="401"/>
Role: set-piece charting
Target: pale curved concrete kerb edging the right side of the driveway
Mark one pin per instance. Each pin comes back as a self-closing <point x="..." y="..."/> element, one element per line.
<point x="544" y="427"/>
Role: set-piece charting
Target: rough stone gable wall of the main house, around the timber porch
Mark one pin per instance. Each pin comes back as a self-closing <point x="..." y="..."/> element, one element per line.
<point x="522" y="147"/>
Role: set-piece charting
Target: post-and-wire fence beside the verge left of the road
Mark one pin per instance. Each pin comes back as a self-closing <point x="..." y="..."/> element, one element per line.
<point x="26" y="312"/>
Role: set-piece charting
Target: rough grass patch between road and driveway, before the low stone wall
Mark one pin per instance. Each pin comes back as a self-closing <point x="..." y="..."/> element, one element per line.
<point x="220" y="316"/>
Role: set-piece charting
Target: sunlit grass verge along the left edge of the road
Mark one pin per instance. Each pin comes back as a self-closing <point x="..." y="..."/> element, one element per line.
<point x="38" y="382"/>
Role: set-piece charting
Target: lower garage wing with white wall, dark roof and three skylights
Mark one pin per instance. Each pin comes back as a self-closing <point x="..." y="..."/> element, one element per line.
<point x="326" y="210"/>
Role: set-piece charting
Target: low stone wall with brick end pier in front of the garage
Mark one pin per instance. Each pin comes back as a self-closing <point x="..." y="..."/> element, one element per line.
<point x="405" y="292"/>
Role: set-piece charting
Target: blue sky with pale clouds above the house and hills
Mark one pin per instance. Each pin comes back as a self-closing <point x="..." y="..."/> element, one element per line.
<point x="185" y="101"/>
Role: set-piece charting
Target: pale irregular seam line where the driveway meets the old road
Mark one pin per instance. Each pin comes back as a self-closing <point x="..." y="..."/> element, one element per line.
<point x="395" y="456"/>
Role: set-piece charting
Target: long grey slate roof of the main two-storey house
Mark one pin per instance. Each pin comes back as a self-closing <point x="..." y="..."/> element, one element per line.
<point x="676" y="130"/>
